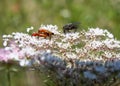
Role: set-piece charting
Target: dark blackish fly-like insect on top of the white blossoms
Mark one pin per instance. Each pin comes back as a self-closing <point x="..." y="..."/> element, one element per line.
<point x="70" y="27"/>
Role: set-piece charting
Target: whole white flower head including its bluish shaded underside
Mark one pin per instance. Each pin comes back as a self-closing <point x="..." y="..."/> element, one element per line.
<point x="95" y="50"/>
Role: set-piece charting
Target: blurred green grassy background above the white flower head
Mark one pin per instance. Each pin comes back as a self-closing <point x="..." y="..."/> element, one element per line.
<point x="17" y="15"/>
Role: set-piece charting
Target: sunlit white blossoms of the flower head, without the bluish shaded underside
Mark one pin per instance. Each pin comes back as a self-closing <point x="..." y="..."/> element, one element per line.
<point x="94" y="44"/>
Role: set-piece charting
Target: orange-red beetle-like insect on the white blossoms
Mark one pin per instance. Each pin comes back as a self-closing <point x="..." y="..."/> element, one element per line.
<point x="43" y="33"/>
